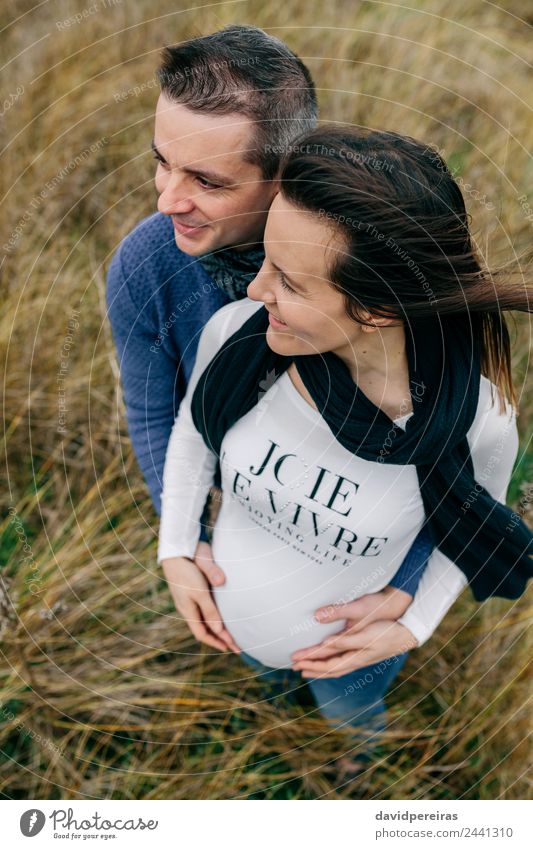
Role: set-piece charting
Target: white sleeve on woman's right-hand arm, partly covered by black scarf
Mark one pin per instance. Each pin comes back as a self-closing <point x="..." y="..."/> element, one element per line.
<point x="494" y="447"/>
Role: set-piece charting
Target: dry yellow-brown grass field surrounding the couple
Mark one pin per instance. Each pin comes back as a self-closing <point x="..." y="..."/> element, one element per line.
<point x="94" y="661"/>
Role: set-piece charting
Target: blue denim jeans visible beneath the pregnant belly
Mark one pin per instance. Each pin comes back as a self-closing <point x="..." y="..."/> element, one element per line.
<point x="355" y="699"/>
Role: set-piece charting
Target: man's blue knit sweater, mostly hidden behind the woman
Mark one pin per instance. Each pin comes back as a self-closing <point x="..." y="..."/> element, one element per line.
<point x="159" y="300"/>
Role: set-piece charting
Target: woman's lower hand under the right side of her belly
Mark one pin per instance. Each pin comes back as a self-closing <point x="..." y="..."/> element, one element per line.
<point x="353" y="649"/>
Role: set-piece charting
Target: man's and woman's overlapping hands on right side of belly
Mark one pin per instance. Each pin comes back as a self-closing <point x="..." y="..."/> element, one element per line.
<point x="371" y="635"/>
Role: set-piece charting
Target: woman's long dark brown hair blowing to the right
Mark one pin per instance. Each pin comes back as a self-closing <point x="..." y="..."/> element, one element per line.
<point x="408" y="249"/>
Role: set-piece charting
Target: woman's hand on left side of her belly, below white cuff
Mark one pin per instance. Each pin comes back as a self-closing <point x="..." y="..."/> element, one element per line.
<point x="192" y="596"/>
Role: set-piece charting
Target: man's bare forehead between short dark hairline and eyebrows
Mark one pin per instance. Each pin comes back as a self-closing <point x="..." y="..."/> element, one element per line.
<point x="188" y="135"/>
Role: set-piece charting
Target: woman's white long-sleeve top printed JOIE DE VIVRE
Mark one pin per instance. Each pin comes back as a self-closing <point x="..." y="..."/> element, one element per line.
<point x="304" y="522"/>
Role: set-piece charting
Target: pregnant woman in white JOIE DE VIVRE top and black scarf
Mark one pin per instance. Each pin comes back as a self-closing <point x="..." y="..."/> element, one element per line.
<point x="361" y="391"/>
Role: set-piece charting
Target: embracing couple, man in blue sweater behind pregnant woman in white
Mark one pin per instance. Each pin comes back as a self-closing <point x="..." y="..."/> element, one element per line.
<point x="305" y="325"/>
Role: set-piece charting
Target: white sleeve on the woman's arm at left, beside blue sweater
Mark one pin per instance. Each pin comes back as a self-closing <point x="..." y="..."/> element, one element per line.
<point x="190" y="466"/>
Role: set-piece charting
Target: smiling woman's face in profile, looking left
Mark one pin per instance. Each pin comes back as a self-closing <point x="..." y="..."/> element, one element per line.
<point x="307" y="315"/>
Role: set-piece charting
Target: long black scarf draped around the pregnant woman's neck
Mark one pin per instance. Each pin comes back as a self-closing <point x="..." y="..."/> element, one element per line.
<point x="481" y="535"/>
